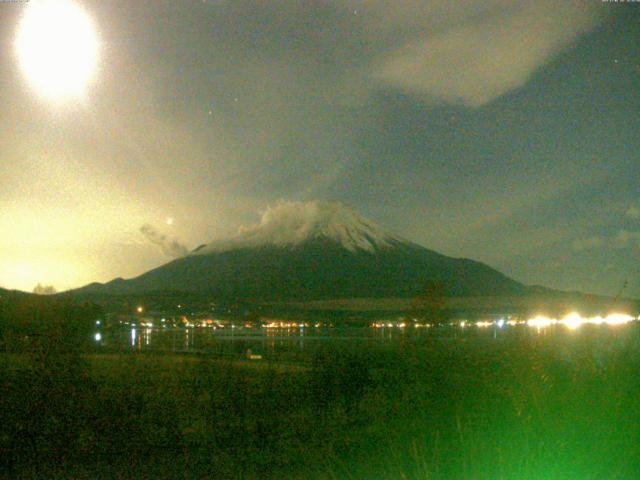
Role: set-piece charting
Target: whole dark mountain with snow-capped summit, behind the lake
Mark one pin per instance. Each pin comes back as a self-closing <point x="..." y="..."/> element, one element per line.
<point x="315" y="250"/>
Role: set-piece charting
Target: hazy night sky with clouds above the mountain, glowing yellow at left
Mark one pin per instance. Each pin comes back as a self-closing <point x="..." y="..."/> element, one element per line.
<point x="503" y="131"/>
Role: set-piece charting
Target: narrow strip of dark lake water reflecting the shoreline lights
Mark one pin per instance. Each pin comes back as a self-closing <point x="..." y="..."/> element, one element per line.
<point x="281" y="343"/>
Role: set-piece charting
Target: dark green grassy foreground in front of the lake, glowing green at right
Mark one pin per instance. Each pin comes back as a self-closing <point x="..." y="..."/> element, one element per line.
<point x="556" y="407"/>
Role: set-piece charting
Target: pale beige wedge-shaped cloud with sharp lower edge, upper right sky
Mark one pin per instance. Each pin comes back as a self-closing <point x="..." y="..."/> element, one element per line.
<point x="480" y="56"/>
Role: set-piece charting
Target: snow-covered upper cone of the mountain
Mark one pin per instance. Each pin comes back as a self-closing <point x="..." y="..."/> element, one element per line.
<point x="293" y="223"/>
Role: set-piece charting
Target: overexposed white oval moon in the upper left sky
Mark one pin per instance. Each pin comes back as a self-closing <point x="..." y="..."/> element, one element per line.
<point x="57" y="46"/>
